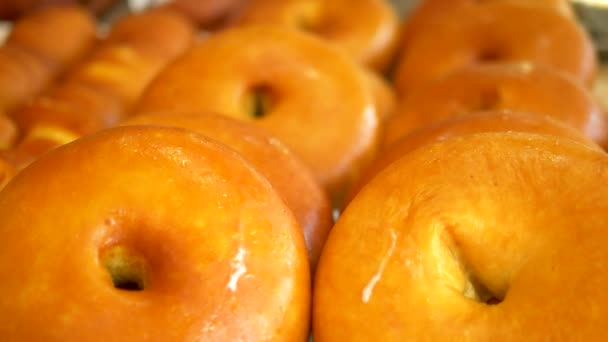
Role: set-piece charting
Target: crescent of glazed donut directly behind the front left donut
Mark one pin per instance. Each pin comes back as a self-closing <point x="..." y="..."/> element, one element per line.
<point x="287" y="174"/>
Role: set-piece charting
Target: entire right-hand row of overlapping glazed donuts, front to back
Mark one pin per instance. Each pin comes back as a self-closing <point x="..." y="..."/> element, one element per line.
<point x="478" y="220"/>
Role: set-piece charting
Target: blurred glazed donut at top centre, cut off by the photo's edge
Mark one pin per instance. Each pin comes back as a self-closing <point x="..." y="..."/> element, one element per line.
<point x="366" y="29"/>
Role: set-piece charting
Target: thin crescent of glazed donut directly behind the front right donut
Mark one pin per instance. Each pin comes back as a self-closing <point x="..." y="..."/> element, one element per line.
<point x="480" y="122"/>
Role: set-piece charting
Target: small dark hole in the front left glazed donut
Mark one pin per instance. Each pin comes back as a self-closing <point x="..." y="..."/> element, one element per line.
<point x="128" y="269"/>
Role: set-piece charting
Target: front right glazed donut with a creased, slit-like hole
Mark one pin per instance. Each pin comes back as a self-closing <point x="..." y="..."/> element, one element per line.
<point x="475" y="238"/>
